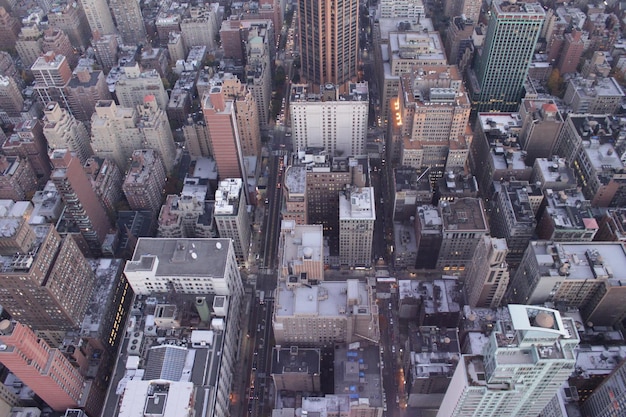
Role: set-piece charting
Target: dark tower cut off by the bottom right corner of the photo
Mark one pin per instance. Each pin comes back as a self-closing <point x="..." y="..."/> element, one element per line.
<point x="610" y="397"/>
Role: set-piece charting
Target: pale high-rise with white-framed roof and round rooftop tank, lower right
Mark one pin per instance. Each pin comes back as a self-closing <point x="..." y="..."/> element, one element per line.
<point x="526" y="359"/>
